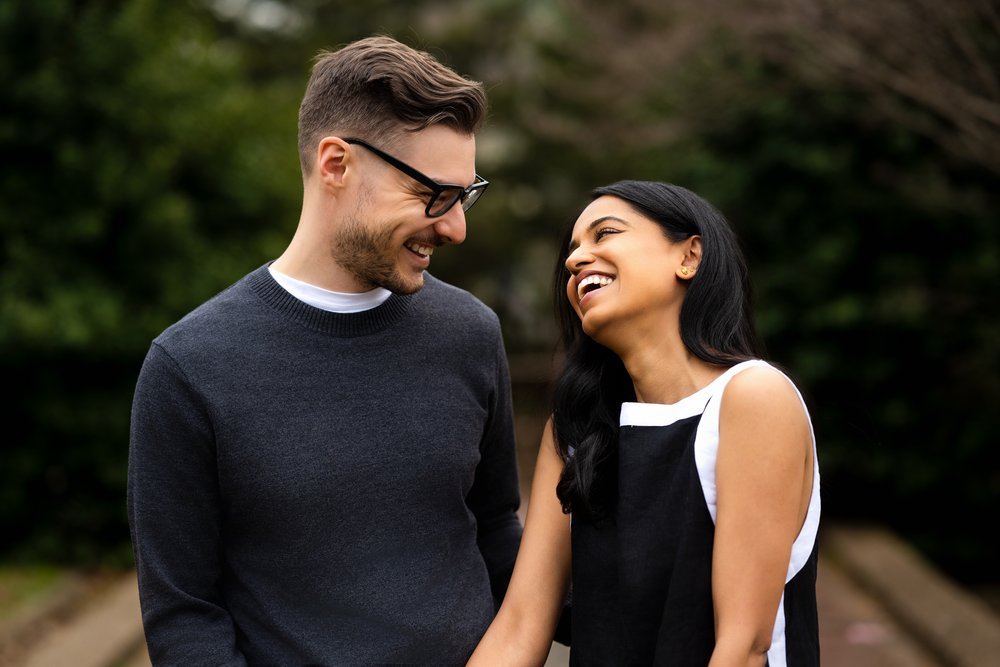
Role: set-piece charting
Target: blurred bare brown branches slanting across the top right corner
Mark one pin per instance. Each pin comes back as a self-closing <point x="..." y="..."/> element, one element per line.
<point x="930" y="67"/>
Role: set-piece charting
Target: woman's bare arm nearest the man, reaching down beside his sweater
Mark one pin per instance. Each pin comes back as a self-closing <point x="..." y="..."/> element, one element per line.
<point x="521" y="633"/>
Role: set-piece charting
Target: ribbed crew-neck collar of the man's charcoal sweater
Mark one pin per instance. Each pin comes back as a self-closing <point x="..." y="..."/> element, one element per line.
<point x="336" y="324"/>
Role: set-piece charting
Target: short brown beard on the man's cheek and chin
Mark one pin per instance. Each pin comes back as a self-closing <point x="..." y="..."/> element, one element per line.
<point x="369" y="256"/>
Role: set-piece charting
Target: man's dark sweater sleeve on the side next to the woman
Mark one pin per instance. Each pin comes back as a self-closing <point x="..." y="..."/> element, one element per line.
<point x="495" y="495"/>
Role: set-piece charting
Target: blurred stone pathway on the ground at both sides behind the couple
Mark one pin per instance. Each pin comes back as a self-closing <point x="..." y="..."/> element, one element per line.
<point x="859" y="625"/>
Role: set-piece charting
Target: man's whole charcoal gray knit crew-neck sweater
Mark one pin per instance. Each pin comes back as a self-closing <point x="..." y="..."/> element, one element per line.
<point x="307" y="487"/>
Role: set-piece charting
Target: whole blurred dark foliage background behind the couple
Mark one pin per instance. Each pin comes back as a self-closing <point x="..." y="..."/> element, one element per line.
<point x="148" y="160"/>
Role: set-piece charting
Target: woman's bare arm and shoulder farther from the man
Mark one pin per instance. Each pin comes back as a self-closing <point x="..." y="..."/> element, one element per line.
<point x="763" y="483"/>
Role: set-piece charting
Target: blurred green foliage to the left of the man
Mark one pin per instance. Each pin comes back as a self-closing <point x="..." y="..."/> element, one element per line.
<point x="139" y="177"/>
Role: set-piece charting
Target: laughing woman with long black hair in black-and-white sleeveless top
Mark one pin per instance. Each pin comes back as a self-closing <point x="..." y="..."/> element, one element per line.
<point x="684" y="464"/>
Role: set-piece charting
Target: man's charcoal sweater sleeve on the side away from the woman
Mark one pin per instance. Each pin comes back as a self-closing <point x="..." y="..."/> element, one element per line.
<point x="175" y="520"/>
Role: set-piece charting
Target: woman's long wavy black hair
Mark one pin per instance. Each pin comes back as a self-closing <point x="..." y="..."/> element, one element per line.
<point x="716" y="323"/>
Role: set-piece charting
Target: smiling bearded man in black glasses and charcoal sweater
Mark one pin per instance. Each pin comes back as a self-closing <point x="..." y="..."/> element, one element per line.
<point x="322" y="463"/>
